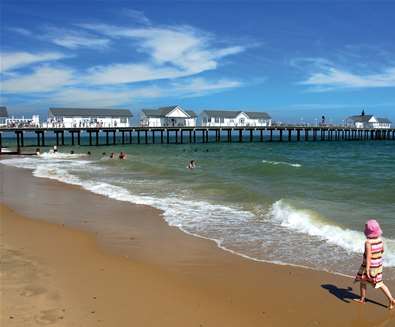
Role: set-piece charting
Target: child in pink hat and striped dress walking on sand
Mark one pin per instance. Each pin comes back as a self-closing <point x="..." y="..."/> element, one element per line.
<point x="371" y="270"/>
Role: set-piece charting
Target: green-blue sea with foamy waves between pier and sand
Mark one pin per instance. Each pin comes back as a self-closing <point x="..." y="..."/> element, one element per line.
<point x="302" y="203"/>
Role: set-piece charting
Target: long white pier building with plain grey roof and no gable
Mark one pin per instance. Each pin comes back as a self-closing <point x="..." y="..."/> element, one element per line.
<point x="88" y="117"/>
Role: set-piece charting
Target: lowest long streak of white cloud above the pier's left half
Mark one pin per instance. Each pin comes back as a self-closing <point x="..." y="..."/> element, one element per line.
<point x="71" y="95"/>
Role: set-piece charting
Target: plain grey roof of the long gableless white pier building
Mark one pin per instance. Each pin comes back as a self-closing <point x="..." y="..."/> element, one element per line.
<point x="89" y="112"/>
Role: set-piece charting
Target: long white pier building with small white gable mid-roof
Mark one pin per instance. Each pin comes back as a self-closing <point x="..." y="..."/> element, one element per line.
<point x="217" y="118"/>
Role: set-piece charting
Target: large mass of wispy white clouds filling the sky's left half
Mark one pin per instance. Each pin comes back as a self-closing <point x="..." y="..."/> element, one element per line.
<point x="171" y="58"/>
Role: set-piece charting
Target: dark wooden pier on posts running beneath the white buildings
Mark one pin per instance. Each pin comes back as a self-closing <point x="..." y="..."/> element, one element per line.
<point x="181" y="135"/>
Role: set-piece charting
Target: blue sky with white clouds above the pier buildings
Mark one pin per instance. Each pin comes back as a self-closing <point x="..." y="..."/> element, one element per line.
<point x="296" y="60"/>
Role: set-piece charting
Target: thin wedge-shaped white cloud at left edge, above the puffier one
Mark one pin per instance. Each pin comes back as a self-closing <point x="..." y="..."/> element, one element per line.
<point x="14" y="60"/>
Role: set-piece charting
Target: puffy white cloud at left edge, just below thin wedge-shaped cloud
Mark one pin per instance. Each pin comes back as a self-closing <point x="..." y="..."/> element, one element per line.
<point x="42" y="79"/>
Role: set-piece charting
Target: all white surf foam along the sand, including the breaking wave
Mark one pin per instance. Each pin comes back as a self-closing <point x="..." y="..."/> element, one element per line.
<point x="219" y="223"/>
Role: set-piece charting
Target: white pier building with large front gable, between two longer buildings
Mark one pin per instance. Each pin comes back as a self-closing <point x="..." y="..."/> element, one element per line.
<point x="172" y="116"/>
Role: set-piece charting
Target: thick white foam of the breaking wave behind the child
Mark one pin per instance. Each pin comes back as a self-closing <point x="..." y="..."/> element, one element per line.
<point x="306" y="222"/>
